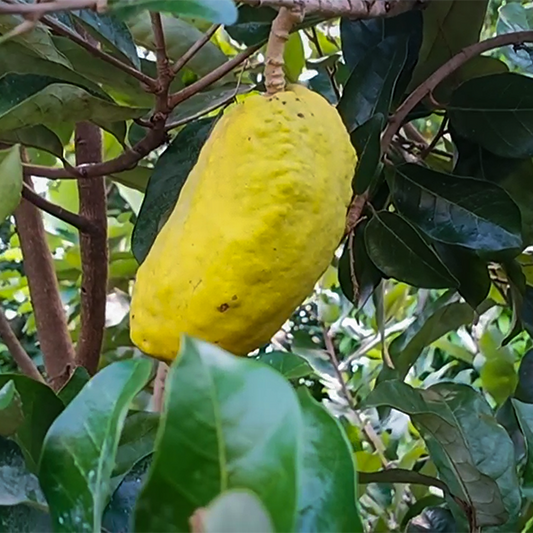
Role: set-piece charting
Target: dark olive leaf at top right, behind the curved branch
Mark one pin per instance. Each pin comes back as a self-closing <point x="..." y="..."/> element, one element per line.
<point x="449" y="26"/>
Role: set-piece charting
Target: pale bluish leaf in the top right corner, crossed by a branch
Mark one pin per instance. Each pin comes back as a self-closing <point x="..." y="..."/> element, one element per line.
<point x="516" y="17"/>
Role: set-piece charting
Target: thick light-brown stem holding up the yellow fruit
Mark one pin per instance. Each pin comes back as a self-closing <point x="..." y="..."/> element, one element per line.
<point x="279" y="35"/>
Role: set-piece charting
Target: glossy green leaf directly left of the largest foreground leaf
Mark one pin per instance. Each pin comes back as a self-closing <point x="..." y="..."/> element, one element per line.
<point x="80" y="447"/>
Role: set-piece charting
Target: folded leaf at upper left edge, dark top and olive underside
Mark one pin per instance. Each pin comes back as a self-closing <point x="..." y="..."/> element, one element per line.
<point x="29" y="100"/>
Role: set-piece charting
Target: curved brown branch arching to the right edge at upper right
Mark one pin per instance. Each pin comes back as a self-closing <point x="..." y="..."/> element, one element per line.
<point x="429" y="85"/>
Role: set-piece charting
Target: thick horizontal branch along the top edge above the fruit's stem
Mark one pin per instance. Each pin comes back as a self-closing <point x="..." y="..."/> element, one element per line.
<point x="346" y="8"/>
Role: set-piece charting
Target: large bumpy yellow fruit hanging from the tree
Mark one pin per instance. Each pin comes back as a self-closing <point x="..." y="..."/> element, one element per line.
<point x="256" y="224"/>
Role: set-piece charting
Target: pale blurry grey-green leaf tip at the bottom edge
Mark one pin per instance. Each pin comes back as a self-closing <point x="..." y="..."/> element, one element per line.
<point x="236" y="511"/>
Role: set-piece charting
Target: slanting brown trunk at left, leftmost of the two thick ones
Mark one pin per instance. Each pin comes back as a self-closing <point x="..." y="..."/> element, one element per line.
<point x="50" y="317"/>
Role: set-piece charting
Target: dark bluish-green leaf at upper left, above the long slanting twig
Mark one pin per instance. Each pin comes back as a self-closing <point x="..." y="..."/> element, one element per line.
<point x="112" y="33"/>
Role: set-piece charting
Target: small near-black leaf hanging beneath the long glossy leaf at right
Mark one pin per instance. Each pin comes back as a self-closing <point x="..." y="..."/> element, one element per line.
<point x="469" y="269"/>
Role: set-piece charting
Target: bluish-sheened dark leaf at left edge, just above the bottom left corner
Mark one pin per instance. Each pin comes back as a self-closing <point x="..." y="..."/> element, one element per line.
<point x="17" y="484"/>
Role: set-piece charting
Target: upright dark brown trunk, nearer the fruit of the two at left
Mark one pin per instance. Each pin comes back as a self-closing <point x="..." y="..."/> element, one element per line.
<point x="93" y="247"/>
